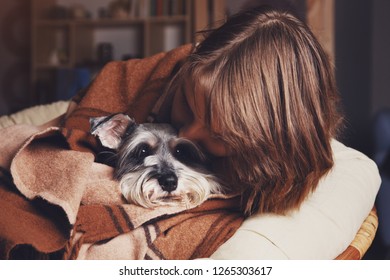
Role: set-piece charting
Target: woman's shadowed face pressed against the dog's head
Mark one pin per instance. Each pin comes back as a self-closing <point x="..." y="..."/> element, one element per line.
<point x="188" y="117"/>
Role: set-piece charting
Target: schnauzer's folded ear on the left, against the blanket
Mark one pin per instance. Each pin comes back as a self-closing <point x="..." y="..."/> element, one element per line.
<point x="112" y="129"/>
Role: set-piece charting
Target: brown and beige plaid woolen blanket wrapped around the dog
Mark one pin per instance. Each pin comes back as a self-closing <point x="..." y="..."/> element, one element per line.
<point x="58" y="203"/>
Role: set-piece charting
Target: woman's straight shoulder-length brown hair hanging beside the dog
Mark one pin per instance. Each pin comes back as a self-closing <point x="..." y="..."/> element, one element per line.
<point x="271" y="97"/>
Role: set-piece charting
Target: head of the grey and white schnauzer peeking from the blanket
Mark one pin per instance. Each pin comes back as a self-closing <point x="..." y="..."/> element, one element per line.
<point x="153" y="165"/>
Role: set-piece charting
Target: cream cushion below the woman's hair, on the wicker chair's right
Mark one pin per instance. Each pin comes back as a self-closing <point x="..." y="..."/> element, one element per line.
<point x="326" y="222"/>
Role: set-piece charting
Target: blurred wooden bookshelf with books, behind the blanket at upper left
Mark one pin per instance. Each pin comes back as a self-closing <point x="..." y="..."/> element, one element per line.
<point x="70" y="43"/>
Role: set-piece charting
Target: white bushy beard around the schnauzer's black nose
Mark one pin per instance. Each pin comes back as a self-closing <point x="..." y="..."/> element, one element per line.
<point x="142" y="188"/>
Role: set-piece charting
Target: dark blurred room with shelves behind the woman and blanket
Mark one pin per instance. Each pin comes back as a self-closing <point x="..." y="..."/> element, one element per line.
<point x="50" y="49"/>
